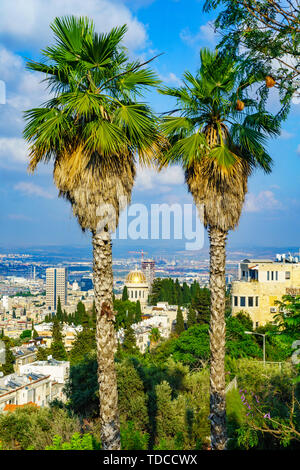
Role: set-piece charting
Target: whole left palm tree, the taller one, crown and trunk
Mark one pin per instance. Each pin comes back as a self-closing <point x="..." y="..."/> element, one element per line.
<point x="93" y="129"/>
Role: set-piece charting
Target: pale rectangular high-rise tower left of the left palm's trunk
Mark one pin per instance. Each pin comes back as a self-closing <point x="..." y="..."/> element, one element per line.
<point x="56" y="287"/>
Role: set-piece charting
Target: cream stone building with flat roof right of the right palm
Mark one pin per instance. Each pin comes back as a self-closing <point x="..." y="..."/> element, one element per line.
<point x="261" y="283"/>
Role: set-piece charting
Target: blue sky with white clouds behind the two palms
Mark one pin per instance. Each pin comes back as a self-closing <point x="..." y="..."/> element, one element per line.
<point x="31" y="213"/>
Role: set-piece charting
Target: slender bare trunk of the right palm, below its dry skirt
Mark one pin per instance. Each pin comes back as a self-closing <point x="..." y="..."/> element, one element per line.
<point x="217" y="338"/>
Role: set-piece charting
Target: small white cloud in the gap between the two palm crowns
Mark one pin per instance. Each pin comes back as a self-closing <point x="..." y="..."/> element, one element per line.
<point x="162" y="182"/>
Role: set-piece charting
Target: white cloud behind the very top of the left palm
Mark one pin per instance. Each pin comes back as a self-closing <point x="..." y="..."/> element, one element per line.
<point x="26" y="23"/>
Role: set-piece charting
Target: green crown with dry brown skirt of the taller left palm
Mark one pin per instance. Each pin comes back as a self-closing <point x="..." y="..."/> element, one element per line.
<point x="93" y="126"/>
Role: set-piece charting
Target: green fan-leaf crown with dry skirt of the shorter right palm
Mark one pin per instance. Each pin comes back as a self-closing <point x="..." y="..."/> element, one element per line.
<point x="217" y="144"/>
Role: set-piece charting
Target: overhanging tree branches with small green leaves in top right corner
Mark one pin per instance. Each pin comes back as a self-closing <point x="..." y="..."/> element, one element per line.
<point x="266" y="35"/>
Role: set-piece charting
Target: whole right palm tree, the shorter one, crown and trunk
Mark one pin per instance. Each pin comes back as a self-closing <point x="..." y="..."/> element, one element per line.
<point x="218" y="134"/>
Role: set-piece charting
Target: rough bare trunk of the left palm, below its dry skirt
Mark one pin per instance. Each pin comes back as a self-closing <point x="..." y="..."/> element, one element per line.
<point x="106" y="342"/>
